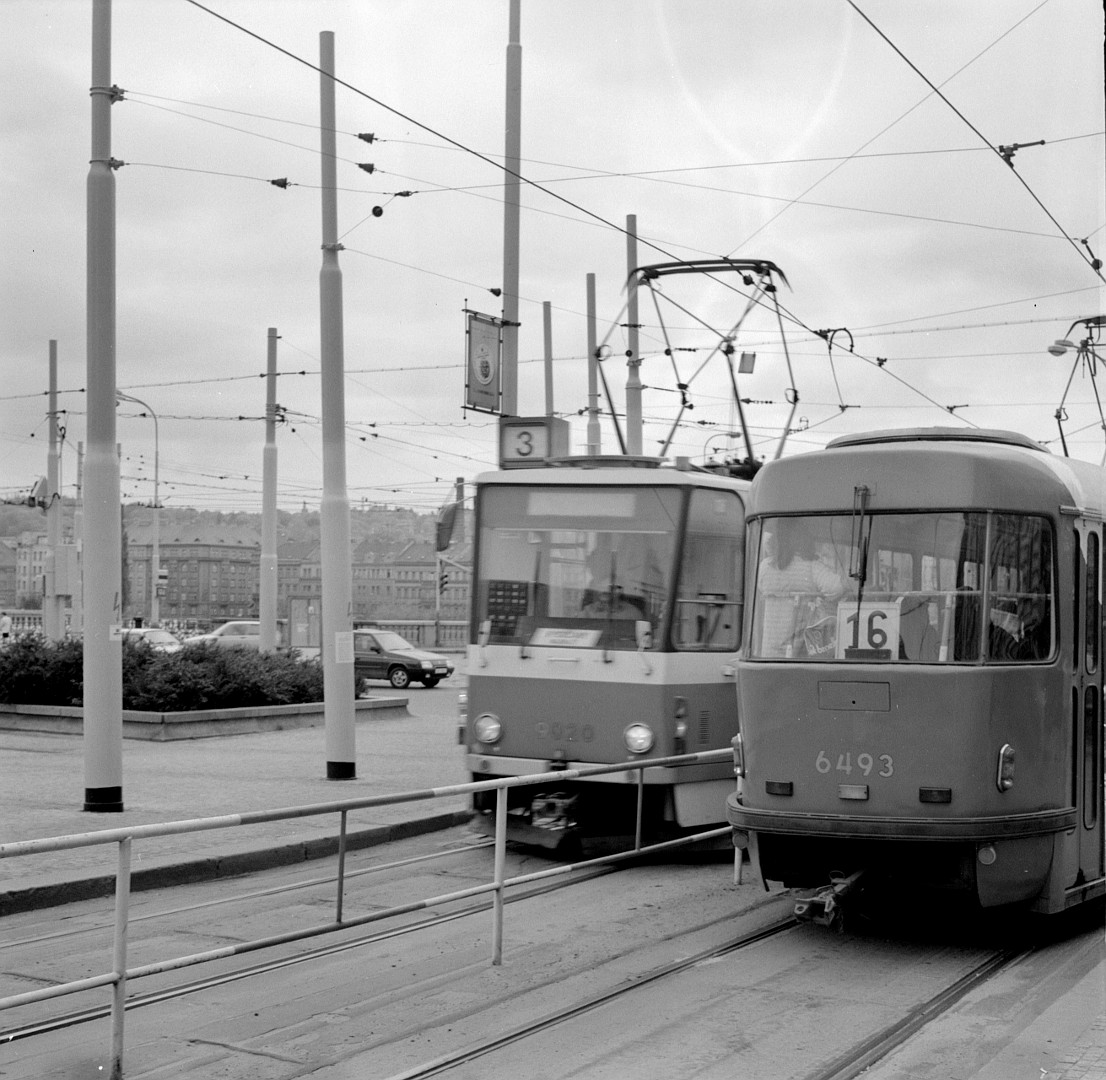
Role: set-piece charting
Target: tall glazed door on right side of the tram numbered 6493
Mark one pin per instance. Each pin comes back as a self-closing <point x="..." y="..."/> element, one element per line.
<point x="1088" y="700"/>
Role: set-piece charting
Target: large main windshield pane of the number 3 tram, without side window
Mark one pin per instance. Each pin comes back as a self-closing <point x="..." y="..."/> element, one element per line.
<point x="576" y="565"/>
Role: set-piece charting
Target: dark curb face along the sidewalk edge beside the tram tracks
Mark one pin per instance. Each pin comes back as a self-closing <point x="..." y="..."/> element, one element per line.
<point x="54" y="896"/>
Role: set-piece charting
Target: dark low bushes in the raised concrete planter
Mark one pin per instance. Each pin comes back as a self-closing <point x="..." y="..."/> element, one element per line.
<point x="37" y="672"/>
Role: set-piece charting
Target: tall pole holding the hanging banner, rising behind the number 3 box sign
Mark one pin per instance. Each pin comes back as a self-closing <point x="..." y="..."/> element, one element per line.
<point x="513" y="157"/>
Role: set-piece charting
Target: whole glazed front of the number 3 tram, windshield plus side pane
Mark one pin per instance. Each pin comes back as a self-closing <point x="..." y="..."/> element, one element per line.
<point x="582" y="566"/>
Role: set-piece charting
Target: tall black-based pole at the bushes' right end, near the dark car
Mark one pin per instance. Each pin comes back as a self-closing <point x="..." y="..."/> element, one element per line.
<point x="335" y="517"/>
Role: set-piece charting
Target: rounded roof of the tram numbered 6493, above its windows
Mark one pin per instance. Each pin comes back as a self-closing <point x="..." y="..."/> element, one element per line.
<point x="930" y="469"/>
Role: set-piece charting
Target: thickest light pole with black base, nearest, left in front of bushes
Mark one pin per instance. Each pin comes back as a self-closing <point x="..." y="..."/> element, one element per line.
<point x="103" y="652"/>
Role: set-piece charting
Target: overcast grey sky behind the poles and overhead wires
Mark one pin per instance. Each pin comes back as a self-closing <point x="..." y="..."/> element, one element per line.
<point x="795" y="131"/>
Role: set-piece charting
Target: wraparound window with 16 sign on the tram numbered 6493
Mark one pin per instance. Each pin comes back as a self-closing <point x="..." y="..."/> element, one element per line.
<point x="917" y="588"/>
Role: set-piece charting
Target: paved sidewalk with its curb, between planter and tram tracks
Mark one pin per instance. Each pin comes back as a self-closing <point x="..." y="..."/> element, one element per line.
<point x="43" y="795"/>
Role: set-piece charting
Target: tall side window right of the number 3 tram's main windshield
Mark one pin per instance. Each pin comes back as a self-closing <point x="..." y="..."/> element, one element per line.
<point x="708" y="597"/>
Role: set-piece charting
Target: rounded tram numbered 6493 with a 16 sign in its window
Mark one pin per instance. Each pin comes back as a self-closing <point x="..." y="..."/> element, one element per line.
<point x="921" y="688"/>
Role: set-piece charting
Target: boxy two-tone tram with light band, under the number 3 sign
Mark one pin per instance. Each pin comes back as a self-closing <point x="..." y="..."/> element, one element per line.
<point x="606" y="621"/>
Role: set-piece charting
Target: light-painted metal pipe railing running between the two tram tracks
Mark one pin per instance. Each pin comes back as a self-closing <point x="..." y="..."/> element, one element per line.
<point x="121" y="975"/>
